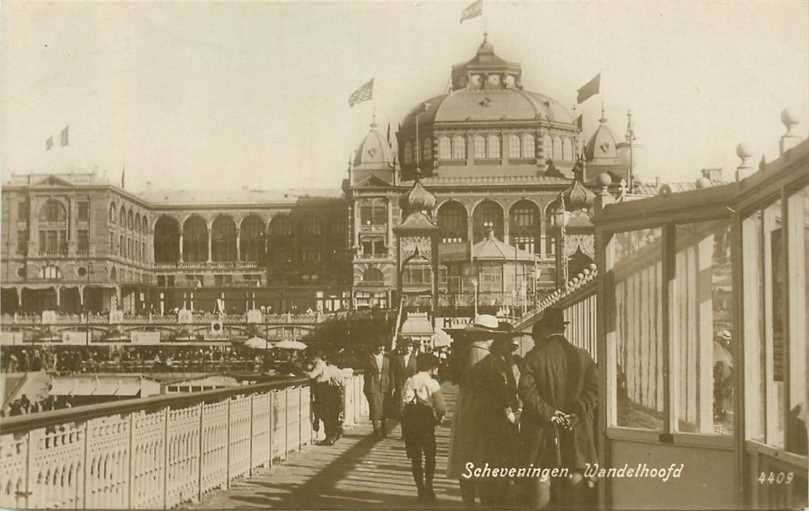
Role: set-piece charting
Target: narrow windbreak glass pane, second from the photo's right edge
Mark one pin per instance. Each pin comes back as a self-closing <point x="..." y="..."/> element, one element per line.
<point x="764" y="285"/>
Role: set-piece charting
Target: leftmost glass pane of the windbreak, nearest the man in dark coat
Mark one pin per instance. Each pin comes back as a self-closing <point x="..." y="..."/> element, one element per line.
<point x="635" y="328"/>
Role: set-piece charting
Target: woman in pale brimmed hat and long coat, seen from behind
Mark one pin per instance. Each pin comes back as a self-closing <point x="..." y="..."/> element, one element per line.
<point x="466" y="438"/>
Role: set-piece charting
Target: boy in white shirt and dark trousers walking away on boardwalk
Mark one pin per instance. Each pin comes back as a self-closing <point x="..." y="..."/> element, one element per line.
<point x="422" y="408"/>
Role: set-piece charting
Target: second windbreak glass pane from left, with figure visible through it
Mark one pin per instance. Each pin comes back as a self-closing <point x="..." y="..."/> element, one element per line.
<point x="702" y="329"/>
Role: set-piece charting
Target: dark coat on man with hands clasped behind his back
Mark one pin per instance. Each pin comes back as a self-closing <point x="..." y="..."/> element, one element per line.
<point x="558" y="376"/>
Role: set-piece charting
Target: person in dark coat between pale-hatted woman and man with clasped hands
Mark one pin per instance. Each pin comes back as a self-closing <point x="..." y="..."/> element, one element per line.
<point x="497" y="384"/>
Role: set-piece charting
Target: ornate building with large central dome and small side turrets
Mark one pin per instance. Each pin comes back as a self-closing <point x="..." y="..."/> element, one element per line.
<point x="492" y="156"/>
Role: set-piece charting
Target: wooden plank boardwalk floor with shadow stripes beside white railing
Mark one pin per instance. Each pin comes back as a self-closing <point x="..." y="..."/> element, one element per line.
<point x="358" y="472"/>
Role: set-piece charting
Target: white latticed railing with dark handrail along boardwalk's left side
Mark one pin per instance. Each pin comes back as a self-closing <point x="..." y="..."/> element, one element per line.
<point x="156" y="453"/>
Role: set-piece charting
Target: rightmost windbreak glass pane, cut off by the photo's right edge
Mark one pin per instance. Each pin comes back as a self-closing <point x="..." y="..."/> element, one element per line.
<point x="798" y="226"/>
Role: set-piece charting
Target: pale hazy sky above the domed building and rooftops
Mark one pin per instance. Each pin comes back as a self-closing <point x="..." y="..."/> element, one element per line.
<point x="231" y="95"/>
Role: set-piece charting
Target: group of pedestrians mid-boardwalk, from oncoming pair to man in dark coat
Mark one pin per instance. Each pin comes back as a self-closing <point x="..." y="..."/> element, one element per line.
<point x="511" y="412"/>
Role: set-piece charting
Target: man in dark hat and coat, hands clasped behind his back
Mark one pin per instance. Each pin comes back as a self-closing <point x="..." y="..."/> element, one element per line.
<point x="559" y="389"/>
